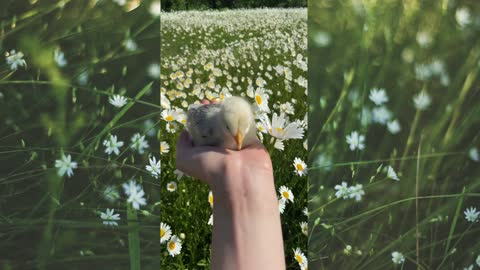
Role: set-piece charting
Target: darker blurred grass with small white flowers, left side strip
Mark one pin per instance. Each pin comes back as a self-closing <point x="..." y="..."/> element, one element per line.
<point x="79" y="143"/>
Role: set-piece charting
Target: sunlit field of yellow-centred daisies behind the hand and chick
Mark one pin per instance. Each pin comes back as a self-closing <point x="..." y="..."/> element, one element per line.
<point x="261" y="55"/>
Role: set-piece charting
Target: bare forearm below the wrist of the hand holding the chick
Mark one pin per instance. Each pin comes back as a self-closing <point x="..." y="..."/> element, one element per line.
<point x="247" y="230"/>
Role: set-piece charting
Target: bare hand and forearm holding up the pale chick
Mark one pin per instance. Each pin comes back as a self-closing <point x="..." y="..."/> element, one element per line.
<point x="247" y="232"/>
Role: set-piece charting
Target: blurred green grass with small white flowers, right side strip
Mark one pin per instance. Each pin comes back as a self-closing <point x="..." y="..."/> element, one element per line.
<point x="394" y="136"/>
